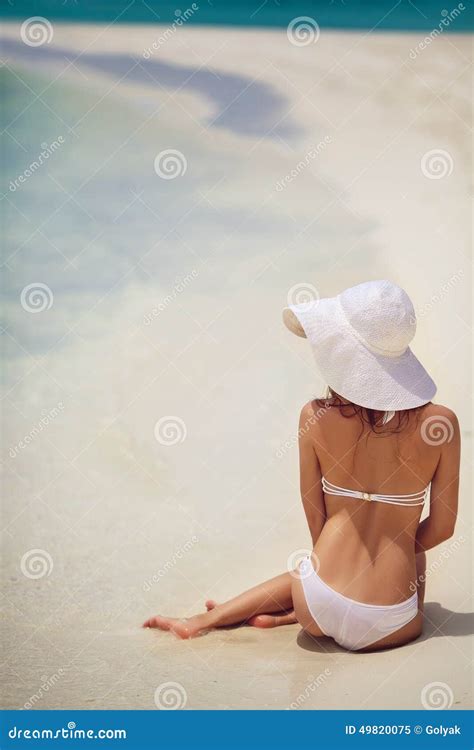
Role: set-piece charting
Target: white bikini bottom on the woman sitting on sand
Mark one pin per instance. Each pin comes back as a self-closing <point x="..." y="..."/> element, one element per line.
<point x="352" y="624"/>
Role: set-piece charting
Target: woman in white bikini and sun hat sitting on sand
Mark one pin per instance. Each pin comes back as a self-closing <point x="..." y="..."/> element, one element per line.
<point x="369" y="453"/>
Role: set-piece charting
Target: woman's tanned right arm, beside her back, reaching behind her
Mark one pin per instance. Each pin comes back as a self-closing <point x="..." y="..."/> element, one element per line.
<point x="440" y="524"/>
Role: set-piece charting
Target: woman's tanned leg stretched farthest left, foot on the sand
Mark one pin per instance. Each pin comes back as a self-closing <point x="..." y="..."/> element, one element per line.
<point x="272" y="596"/>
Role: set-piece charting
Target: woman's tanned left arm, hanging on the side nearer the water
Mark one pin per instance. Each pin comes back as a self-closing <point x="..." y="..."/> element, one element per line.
<point x="310" y="474"/>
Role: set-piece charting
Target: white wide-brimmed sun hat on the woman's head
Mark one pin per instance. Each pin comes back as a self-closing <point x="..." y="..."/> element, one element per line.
<point x="360" y="340"/>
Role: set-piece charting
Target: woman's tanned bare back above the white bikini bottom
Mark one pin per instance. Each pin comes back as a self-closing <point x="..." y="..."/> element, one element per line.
<point x="366" y="550"/>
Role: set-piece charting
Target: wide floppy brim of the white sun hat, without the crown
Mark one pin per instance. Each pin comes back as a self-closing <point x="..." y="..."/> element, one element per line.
<point x="351" y="368"/>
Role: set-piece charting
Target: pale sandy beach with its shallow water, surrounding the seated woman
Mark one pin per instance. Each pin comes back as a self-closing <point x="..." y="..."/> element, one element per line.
<point x="150" y="408"/>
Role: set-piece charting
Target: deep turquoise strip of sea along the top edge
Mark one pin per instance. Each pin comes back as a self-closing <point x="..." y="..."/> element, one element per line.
<point x="348" y="14"/>
